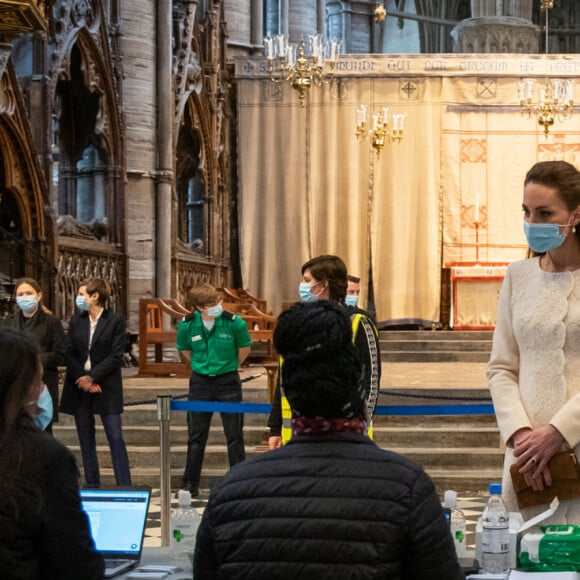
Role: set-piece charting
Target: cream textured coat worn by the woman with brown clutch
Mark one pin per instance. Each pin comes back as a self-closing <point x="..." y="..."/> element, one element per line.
<point x="534" y="369"/>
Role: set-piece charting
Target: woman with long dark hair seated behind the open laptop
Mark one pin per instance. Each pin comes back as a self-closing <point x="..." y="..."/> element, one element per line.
<point x="44" y="533"/>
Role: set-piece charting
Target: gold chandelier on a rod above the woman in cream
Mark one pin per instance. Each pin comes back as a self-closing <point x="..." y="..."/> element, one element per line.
<point x="555" y="99"/>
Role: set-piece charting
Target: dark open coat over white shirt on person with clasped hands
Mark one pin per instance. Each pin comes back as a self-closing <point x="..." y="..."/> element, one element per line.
<point x="107" y="351"/>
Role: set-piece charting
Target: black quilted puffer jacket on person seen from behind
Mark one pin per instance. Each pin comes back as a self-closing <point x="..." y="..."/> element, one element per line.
<point x="322" y="507"/>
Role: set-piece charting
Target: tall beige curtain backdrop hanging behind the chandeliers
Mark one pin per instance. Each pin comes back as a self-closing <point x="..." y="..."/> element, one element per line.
<point x="307" y="187"/>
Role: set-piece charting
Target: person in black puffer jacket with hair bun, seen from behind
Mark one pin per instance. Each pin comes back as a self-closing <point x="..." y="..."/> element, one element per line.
<point x="329" y="503"/>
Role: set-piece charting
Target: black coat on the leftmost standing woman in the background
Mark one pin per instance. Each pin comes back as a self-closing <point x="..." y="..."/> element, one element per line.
<point x="47" y="330"/>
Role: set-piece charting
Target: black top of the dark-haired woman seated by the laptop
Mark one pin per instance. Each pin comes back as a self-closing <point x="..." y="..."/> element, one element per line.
<point x="48" y="537"/>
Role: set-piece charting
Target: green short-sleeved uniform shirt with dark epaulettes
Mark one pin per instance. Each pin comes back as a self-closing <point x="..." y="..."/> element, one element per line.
<point x="215" y="351"/>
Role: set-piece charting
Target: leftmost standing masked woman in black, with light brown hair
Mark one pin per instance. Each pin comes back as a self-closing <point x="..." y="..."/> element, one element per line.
<point x="34" y="319"/>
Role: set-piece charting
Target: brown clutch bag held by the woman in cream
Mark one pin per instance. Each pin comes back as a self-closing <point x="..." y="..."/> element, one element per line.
<point x="565" y="482"/>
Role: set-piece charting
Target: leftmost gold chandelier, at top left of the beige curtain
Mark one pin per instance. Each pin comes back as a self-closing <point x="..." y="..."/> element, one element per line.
<point x="302" y="66"/>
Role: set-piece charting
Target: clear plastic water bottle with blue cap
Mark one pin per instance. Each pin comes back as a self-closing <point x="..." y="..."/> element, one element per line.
<point x="495" y="536"/>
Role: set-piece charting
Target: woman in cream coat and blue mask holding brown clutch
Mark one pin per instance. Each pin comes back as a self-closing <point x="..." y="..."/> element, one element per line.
<point x="534" y="370"/>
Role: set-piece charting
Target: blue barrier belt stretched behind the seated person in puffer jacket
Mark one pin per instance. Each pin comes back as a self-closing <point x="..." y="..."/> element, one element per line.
<point x="265" y="408"/>
